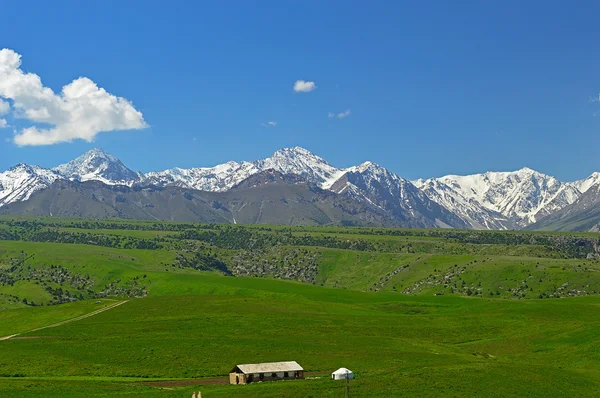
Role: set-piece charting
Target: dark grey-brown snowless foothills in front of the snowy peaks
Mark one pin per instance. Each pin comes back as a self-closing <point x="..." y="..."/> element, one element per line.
<point x="266" y="199"/>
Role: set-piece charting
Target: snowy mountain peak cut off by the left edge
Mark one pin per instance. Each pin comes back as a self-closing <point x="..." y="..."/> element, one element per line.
<point x="20" y="182"/>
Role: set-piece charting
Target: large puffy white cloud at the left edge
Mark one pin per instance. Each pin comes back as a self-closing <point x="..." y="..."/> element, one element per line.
<point x="80" y="111"/>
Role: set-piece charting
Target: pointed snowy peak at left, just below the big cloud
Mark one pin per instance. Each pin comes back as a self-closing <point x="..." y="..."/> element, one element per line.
<point x="97" y="165"/>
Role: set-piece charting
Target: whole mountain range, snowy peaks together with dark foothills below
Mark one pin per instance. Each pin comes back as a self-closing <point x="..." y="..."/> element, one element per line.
<point x="296" y="187"/>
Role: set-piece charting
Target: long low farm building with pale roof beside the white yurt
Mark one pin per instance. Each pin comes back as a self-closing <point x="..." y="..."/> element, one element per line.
<point x="248" y="373"/>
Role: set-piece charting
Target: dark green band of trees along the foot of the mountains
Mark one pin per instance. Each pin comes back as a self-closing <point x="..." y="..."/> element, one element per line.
<point x="260" y="237"/>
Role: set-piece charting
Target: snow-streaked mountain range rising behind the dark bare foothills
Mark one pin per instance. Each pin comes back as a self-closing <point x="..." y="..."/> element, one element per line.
<point x="492" y="200"/>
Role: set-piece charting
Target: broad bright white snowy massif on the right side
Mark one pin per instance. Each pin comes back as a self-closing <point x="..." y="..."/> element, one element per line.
<point x="522" y="196"/>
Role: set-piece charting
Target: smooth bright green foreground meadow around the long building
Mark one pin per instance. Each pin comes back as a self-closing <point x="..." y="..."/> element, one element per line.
<point x="395" y="343"/>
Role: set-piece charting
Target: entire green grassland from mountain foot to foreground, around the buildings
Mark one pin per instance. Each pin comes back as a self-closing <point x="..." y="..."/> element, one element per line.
<point x="439" y="316"/>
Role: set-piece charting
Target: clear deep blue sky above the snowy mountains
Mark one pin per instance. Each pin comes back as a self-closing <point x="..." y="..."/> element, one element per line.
<point x="434" y="87"/>
